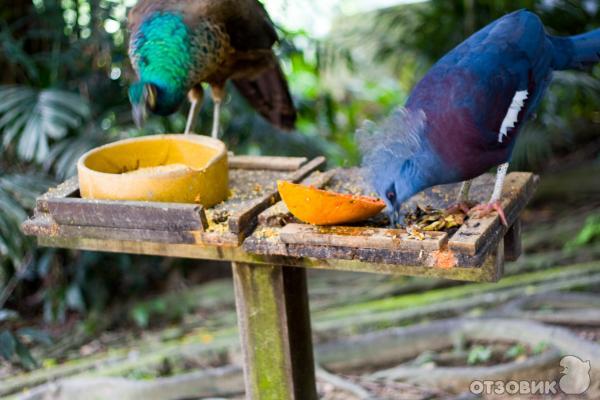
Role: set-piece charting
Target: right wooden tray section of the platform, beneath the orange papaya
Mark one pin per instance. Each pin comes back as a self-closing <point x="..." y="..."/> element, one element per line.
<point x="473" y="251"/>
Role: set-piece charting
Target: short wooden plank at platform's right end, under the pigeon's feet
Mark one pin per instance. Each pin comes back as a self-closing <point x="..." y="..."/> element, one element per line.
<point x="478" y="232"/>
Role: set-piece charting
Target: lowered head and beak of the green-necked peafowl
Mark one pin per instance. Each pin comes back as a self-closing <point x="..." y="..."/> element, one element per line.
<point x="158" y="99"/>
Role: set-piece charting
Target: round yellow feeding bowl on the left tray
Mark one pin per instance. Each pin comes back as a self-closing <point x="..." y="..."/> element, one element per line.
<point x="164" y="168"/>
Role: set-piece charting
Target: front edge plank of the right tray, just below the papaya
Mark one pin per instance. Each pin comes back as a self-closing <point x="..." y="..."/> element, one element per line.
<point x="361" y="237"/>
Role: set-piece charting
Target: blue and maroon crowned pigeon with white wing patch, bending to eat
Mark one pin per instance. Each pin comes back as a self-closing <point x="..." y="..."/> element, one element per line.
<point x="466" y="112"/>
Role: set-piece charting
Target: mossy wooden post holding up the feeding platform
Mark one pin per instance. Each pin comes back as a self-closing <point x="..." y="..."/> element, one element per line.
<point x="274" y="323"/>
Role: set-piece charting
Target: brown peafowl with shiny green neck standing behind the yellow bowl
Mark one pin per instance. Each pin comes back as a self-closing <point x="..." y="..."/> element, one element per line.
<point x="176" y="45"/>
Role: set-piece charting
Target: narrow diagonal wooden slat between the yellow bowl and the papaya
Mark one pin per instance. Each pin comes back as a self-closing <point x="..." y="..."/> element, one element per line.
<point x="245" y="218"/>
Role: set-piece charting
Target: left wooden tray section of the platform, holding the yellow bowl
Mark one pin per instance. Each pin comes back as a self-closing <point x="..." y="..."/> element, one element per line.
<point x="61" y="212"/>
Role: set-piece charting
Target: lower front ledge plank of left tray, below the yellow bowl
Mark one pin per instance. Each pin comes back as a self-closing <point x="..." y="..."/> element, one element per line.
<point x="43" y="224"/>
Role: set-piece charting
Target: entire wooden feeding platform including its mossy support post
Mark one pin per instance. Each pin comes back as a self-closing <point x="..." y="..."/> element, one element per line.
<point x="270" y="250"/>
